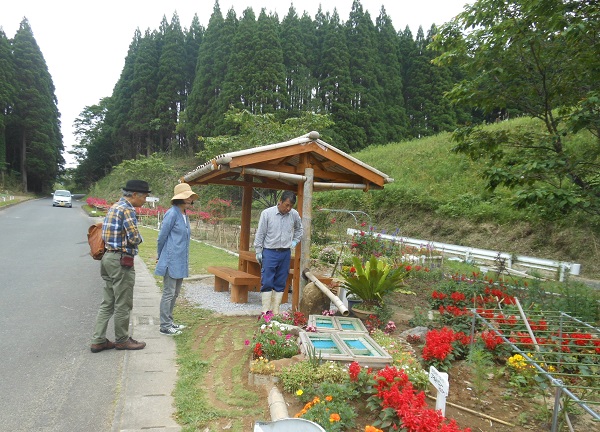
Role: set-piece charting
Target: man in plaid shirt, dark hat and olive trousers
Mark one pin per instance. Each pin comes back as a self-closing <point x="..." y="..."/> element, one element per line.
<point x="122" y="237"/>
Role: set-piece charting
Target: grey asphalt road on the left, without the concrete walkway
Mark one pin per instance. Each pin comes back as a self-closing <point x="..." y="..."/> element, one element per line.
<point x="50" y="289"/>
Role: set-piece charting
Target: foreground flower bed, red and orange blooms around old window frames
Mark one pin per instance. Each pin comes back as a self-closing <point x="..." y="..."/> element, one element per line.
<point x="334" y="393"/>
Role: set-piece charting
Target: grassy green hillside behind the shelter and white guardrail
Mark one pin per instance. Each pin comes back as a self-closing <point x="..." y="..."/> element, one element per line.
<point x="436" y="195"/>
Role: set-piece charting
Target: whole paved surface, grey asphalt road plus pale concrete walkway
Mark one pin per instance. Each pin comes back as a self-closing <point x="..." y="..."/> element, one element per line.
<point x="50" y="290"/>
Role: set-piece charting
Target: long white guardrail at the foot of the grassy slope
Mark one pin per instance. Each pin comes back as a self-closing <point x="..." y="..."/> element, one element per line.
<point x="472" y="254"/>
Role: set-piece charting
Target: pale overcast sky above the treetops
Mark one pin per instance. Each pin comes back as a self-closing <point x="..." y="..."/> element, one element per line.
<point x="85" y="43"/>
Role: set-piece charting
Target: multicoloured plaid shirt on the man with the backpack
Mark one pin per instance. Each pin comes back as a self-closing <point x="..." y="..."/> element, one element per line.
<point x="119" y="229"/>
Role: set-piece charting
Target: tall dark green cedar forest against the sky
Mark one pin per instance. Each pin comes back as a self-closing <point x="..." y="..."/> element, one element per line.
<point x="177" y="84"/>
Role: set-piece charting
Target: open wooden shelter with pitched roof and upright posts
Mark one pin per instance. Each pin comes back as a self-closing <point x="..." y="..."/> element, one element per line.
<point x="302" y="165"/>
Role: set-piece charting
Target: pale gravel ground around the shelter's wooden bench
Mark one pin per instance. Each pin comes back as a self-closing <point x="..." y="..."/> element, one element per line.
<point x="200" y="290"/>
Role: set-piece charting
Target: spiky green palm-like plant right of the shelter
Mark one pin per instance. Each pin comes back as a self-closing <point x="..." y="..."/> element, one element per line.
<point x="372" y="280"/>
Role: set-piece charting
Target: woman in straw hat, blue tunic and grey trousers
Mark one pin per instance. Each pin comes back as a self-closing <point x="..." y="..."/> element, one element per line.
<point x="174" y="254"/>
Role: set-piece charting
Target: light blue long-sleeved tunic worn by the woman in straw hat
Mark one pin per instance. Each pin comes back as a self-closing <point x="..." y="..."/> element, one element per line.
<point x="174" y="245"/>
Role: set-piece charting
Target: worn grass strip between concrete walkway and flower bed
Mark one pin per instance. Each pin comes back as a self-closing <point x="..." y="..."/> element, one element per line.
<point x="209" y="393"/>
